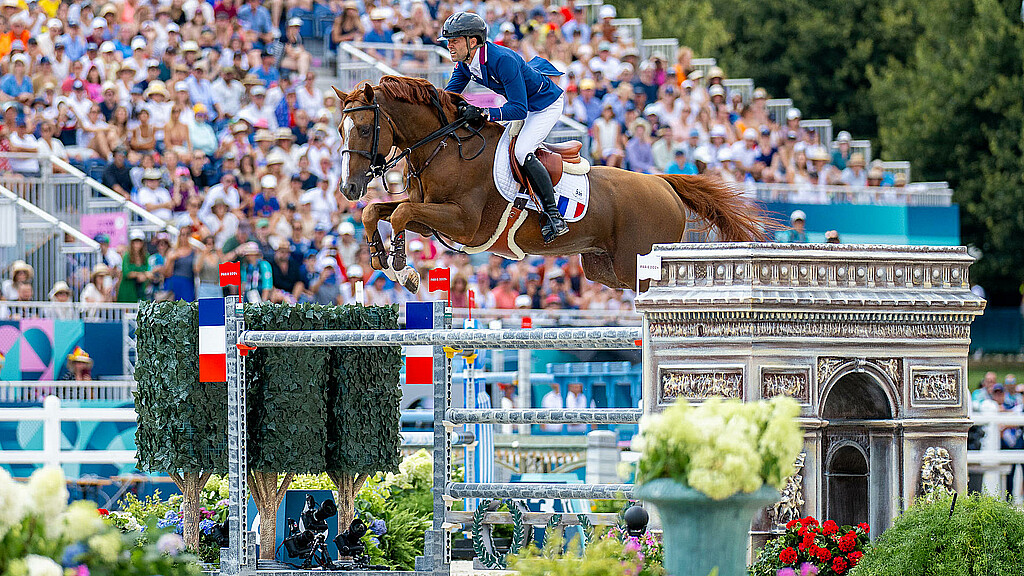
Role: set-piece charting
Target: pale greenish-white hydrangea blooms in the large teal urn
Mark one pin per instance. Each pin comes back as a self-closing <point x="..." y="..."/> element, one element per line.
<point x="722" y="448"/>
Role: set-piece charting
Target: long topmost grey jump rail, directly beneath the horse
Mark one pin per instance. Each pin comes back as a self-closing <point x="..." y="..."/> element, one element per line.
<point x="522" y="339"/>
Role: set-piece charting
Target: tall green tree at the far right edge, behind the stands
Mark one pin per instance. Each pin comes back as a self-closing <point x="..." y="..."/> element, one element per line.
<point x="956" y="110"/>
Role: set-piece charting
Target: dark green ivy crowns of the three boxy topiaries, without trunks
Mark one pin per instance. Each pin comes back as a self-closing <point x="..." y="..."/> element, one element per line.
<point x="310" y="409"/>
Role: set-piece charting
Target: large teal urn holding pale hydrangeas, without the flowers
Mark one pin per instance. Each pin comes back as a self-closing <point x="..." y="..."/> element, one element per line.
<point x="701" y="533"/>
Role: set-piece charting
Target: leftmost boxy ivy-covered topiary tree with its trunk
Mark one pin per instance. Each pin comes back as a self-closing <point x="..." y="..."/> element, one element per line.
<point x="183" y="425"/>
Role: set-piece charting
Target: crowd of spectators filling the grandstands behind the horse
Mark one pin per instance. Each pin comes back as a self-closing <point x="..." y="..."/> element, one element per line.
<point x="209" y="115"/>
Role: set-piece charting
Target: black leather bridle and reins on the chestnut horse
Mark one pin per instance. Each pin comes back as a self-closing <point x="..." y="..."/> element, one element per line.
<point x="379" y="164"/>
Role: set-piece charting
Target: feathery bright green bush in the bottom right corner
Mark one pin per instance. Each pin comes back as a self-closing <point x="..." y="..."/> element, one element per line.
<point x="979" y="536"/>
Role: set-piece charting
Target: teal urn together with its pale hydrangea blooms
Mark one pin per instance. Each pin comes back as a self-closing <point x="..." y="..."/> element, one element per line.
<point x="709" y="469"/>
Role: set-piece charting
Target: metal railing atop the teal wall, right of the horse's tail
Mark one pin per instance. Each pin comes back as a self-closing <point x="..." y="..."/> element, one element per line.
<point x="918" y="194"/>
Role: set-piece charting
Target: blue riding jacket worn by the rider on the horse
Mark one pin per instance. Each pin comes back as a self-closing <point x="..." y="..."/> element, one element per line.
<point x="526" y="87"/>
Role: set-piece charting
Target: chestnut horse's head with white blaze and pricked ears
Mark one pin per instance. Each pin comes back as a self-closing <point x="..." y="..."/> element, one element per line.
<point x="367" y="138"/>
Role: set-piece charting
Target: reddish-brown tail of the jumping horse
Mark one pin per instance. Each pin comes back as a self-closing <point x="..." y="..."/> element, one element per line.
<point x="721" y="205"/>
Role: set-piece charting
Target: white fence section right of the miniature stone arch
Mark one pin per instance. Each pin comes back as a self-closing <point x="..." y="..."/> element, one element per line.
<point x="994" y="463"/>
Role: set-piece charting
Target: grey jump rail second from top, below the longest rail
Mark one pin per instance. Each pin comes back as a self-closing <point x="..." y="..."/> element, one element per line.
<point x="545" y="417"/>
